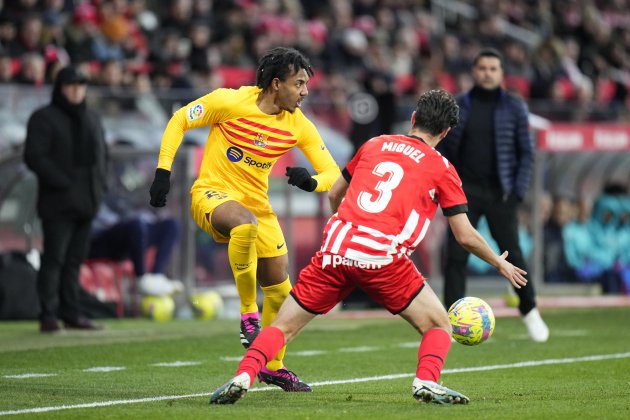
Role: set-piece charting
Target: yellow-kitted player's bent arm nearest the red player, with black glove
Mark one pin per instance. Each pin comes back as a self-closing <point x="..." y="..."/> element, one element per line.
<point x="318" y="155"/>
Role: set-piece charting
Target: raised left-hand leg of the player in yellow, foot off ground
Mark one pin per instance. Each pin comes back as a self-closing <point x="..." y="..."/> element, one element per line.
<point x="227" y="220"/>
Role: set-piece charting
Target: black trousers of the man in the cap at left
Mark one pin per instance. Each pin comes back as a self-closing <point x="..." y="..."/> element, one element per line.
<point x="65" y="249"/>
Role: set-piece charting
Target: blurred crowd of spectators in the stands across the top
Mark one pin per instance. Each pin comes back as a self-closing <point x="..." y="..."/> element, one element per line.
<point x="574" y="52"/>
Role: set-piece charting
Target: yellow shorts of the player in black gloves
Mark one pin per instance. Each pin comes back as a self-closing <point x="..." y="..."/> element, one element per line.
<point x="270" y="241"/>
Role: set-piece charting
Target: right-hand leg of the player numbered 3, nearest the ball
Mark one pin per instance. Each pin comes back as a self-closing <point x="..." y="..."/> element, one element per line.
<point x="427" y="315"/>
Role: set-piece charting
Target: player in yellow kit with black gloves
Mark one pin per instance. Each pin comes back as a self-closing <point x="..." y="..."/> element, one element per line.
<point x="251" y="128"/>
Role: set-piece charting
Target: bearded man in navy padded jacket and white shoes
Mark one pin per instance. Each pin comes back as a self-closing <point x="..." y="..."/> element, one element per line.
<point x="493" y="152"/>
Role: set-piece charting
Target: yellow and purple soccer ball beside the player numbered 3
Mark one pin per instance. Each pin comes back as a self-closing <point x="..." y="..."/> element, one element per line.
<point x="472" y="321"/>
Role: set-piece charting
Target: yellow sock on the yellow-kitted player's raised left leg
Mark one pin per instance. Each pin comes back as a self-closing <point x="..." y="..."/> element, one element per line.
<point x="243" y="261"/>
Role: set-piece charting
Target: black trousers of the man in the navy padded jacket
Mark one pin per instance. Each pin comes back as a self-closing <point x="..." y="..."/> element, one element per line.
<point x="485" y="199"/>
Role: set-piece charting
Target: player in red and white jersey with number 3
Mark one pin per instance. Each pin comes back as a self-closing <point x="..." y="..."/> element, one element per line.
<point x="383" y="203"/>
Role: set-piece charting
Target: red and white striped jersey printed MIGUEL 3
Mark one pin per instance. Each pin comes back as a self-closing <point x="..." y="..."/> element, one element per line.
<point x="396" y="184"/>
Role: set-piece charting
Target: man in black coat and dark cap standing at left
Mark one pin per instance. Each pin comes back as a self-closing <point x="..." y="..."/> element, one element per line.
<point x="65" y="147"/>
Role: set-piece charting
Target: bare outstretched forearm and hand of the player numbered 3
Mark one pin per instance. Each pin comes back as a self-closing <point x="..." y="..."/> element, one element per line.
<point x="472" y="241"/>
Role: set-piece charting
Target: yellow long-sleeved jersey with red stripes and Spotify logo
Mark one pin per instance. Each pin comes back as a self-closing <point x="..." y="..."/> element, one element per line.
<point x="244" y="143"/>
